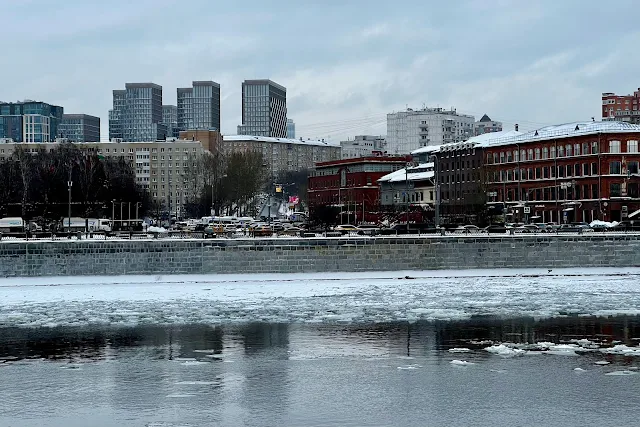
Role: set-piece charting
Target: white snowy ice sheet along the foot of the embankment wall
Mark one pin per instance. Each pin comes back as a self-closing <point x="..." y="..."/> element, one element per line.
<point x="318" y="297"/>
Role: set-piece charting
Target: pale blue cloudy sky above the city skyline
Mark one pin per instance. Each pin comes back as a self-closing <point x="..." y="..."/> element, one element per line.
<point x="345" y="63"/>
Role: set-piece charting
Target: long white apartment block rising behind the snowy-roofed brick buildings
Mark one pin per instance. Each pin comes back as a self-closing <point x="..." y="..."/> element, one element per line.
<point x="412" y="129"/>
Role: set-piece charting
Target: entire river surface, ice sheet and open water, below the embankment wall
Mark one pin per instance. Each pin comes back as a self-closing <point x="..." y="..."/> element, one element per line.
<point x="476" y="348"/>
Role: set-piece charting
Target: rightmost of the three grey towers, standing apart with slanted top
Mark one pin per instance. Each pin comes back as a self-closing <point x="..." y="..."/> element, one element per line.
<point x="264" y="109"/>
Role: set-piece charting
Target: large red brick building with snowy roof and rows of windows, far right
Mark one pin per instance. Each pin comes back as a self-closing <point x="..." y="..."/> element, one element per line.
<point x="567" y="173"/>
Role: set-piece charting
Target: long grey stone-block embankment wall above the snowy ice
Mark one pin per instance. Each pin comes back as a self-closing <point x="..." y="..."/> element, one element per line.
<point x="314" y="255"/>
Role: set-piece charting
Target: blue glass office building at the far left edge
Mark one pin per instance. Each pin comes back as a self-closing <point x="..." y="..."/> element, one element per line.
<point x="30" y="121"/>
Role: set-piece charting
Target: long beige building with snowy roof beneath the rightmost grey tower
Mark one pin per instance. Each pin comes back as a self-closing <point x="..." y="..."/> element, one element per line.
<point x="282" y="154"/>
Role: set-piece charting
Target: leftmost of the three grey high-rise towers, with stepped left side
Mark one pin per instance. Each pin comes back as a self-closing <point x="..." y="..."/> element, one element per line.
<point x="137" y="113"/>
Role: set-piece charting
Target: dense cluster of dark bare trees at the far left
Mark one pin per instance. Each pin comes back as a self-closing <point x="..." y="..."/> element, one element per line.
<point x="36" y="184"/>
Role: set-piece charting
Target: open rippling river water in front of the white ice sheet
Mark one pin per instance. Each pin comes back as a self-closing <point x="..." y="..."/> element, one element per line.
<point x="265" y="374"/>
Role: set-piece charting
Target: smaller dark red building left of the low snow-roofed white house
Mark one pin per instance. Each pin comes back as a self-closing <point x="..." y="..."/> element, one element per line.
<point x="351" y="184"/>
